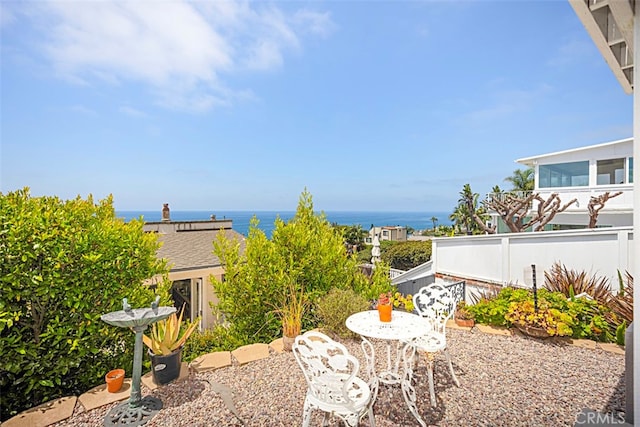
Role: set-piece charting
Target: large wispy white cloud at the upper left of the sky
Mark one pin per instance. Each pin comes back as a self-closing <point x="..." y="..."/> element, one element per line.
<point x="181" y="50"/>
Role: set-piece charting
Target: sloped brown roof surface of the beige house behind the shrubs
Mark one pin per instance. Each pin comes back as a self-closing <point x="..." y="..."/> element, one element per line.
<point x="189" y="250"/>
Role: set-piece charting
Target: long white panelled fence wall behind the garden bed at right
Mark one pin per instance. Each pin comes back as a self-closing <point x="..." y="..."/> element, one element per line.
<point x="502" y="258"/>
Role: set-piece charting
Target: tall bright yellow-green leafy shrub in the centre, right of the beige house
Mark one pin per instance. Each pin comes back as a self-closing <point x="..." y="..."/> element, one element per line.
<point x="306" y="252"/>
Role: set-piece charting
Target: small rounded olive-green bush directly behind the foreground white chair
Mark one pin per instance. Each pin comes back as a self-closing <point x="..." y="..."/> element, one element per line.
<point x="338" y="304"/>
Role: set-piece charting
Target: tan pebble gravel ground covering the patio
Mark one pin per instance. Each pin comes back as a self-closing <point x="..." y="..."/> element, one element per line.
<point x="504" y="381"/>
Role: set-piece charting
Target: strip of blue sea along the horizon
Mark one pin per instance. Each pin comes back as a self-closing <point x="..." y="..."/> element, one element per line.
<point x="415" y="220"/>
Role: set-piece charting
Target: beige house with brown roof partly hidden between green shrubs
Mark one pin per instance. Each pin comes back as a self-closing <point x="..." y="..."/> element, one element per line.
<point x="188" y="248"/>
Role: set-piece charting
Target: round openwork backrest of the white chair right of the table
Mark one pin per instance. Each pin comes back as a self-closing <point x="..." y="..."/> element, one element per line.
<point x="436" y="303"/>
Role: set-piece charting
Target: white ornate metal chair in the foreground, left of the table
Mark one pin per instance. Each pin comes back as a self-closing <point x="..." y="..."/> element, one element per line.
<point x="333" y="386"/>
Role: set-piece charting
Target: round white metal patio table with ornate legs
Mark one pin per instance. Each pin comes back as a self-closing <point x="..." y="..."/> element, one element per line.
<point x="402" y="328"/>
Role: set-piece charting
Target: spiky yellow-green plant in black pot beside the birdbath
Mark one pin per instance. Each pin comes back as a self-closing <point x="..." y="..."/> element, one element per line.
<point x="165" y="347"/>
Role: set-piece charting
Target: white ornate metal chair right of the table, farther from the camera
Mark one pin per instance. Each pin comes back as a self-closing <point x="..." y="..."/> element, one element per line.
<point x="436" y="303"/>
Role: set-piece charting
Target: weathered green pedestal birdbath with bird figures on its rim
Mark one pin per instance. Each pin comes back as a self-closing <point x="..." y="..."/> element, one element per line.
<point x="138" y="410"/>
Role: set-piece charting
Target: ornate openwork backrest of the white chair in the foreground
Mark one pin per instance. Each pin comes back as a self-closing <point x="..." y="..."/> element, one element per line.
<point x="328" y="368"/>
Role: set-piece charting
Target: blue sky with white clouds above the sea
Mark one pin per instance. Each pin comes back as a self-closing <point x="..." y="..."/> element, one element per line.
<point x="370" y="105"/>
